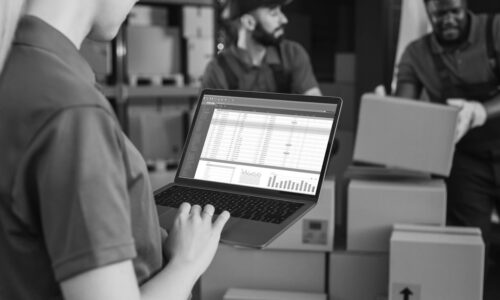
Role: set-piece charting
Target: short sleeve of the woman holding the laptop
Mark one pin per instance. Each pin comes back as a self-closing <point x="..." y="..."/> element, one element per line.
<point x="83" y="202"/>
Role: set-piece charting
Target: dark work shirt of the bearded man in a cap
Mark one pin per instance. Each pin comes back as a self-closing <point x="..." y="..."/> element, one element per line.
<point x="294" y="60"/>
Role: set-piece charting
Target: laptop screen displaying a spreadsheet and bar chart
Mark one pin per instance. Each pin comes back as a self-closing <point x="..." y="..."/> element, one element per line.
<point x="278" y="145"/>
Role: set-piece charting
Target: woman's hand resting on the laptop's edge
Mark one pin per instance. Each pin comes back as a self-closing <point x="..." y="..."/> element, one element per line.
<point x="193" y="240"/>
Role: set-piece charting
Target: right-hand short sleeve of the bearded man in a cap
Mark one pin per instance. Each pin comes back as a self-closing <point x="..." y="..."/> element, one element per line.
<point x="303" y="78"/>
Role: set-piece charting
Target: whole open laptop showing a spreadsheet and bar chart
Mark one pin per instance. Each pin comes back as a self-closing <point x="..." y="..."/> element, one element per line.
<point x="261" y="156"/>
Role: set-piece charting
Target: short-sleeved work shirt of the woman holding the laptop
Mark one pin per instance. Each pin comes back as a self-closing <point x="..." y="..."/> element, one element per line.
<point x="74" y="192"/>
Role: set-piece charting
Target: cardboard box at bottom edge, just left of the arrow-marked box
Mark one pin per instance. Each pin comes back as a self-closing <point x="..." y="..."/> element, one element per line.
<point x="358" y="276"/>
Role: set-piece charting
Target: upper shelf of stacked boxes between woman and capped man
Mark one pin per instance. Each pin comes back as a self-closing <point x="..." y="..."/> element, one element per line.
<point x="156" y="54"/>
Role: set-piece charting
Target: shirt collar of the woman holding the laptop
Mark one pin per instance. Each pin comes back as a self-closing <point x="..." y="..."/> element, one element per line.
<point x="35" y="32"/>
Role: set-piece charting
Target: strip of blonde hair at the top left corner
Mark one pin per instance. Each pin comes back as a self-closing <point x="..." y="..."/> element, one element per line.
<point x="10" y="12"/>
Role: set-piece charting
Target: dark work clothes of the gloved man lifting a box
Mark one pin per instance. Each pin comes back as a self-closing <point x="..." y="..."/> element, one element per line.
<point x="471" y="76"/>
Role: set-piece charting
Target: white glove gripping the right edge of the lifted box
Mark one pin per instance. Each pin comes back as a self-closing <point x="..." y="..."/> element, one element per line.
<point x="472" y="114"/>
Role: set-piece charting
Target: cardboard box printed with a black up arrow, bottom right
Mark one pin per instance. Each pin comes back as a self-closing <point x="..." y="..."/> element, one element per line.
<point x="436" y="263"/>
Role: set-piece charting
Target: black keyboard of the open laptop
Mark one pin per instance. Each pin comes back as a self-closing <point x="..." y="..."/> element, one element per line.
<point x="240" y="206"/>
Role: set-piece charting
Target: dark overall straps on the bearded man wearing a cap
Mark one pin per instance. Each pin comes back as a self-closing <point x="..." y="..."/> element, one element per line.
<point x="282" y="78"/>
